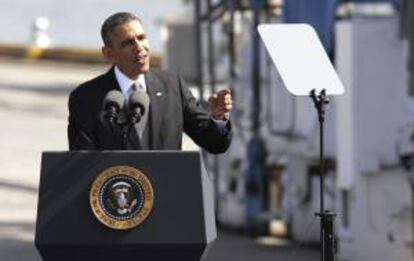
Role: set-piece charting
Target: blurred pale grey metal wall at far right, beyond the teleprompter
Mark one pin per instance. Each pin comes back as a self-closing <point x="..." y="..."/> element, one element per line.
<point x="371" y="114"/>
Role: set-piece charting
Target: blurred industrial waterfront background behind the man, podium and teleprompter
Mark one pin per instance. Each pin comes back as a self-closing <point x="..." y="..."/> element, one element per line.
<point x="267" y="184"/>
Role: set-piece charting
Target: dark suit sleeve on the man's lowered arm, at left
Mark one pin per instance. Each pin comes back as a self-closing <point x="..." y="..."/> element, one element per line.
<point x="80" y="127"/>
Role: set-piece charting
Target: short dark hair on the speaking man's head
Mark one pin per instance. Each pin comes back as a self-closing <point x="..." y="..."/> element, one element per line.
<point x="108" y="27"/>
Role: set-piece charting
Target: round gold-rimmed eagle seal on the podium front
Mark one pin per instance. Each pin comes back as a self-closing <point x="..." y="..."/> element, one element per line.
<point x="121" y="197"/>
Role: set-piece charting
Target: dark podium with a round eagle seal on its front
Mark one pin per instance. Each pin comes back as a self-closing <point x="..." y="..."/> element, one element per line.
<point x="179" y="225"/>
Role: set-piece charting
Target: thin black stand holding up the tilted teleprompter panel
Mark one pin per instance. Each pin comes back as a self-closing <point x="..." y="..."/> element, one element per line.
<point x="327" y="246"/>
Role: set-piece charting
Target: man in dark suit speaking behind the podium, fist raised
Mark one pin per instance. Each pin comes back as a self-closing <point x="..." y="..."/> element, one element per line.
<point x="172" y="107"/>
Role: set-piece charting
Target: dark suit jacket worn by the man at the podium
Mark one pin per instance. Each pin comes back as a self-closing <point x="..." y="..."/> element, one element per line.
<point x="173" y="110"/>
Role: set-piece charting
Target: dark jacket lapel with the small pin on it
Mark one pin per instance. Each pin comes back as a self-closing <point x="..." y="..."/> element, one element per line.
<point x="156" y="92"/>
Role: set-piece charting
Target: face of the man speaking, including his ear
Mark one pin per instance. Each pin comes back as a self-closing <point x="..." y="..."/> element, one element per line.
<point x="129" y="49"/>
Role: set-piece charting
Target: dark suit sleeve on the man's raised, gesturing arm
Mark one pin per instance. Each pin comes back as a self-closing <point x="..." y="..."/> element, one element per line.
<point x="199" y="125"/>
